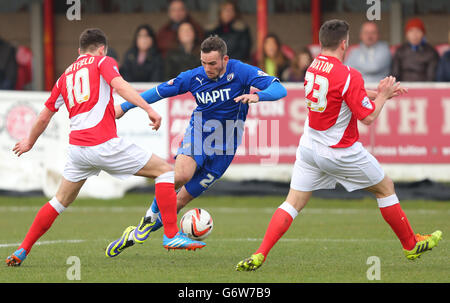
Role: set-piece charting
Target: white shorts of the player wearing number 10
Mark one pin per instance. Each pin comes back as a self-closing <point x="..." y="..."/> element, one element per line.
<point x="118" y="157"/>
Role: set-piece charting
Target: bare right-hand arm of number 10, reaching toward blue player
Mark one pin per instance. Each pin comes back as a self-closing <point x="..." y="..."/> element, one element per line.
<point x="126" y="91"/>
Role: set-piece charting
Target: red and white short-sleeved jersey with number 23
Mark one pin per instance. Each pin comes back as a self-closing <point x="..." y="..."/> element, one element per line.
<point x="336" y="99"/>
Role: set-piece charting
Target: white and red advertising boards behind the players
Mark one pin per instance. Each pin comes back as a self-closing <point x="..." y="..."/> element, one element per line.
<point x="411" y="139"/>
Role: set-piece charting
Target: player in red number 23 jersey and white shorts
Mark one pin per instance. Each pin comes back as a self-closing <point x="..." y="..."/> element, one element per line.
<point x="329" y="151"/>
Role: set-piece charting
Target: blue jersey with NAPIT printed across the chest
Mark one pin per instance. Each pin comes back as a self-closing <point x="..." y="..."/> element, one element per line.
<point x="215" y="98"/>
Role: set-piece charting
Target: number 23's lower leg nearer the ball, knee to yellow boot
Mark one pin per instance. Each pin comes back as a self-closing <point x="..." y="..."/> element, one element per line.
<point x="278" y="225"/>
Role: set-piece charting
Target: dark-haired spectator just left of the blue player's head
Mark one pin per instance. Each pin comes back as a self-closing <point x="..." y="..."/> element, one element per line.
<point x="186" y="55"/>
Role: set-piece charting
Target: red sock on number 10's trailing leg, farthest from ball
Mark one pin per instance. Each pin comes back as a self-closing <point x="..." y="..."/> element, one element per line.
<point x="42" y="222"/>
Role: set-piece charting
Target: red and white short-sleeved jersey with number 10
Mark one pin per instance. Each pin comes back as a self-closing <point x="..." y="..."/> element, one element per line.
<point x="85" y="89"/>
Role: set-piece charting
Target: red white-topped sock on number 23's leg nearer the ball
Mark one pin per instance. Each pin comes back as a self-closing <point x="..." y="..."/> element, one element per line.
<point x="278" y="225"/>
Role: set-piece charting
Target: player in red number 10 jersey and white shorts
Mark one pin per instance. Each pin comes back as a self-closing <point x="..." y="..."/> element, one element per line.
<point x="85" y="88"/>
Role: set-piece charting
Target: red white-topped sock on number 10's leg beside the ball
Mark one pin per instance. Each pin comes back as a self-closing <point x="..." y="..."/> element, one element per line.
<point x="167" y="202"/>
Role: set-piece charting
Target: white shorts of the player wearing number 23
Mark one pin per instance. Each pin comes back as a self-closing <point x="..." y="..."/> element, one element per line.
<point x="321" y="167"/>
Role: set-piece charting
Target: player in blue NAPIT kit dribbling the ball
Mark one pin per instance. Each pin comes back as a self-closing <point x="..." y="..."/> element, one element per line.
<point x="221" y="88"/>
